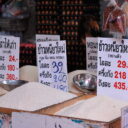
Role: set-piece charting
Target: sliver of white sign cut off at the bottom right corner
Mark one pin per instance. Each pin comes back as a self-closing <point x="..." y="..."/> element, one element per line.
<point x="124" y="117"/>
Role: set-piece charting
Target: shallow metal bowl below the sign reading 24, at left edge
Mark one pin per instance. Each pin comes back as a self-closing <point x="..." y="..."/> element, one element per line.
<point x="11" y="84"/>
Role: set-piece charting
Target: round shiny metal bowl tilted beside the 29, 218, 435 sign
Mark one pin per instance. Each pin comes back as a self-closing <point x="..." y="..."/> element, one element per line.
<point x="85" y="82"/>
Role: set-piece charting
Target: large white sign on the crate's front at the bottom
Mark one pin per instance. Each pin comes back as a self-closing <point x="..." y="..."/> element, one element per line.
<point x="28" y="120"/>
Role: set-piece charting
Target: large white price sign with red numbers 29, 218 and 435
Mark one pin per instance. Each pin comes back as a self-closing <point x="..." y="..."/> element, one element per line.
<point x="113" y="68"/>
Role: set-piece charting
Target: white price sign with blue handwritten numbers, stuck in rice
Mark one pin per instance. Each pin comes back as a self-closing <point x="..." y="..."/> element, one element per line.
<point x="52" y="64"/>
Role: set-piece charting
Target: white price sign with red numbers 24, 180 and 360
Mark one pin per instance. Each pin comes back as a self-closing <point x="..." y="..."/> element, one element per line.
<point x="9" y="58"/>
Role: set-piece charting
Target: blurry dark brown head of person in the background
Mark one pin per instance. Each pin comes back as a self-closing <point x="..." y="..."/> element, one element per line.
<point x="88" y="27"/>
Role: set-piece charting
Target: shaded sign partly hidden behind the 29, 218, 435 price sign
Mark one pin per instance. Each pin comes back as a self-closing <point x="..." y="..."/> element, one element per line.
<point x="91" y="52"/>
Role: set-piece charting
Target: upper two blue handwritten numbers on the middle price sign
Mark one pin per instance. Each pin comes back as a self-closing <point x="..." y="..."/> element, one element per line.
<point x="59" y="75"/>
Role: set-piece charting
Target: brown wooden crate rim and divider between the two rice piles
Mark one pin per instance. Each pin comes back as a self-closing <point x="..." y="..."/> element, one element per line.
<point x="54" y="108"/>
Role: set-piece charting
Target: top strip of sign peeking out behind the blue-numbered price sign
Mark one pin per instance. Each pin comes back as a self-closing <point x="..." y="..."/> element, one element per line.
<point x="44" y="37"/>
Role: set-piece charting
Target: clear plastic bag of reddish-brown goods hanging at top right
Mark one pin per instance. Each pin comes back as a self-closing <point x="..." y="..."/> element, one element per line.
<point x="115" y="20"/>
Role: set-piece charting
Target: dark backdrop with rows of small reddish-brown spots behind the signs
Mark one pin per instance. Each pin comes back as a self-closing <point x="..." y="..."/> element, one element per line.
<point x="59" y="17"/>
